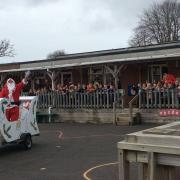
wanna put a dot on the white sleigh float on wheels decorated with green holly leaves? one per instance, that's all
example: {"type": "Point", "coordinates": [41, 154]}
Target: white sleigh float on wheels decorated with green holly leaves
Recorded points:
{"type": "Point", "coordinates": [22, 130]}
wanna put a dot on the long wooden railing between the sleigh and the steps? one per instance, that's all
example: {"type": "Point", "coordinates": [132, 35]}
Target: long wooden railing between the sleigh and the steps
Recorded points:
{"type": "Point", "coordinates": [80, 100]}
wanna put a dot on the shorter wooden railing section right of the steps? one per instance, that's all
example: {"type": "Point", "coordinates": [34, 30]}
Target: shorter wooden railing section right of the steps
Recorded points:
{"type": "Point", "coordinates": [169, 98]}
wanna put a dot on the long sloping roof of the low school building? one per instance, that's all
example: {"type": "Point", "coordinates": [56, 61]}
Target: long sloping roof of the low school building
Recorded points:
{"type": "Point", "coordinates": [122, 55]}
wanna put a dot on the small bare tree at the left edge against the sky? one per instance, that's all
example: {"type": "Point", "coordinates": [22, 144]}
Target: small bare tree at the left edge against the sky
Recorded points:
{"type": "Point", "coordinates": [6, 49]}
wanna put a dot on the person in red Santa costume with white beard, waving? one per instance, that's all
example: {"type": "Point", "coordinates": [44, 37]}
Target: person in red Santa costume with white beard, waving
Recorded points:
{"type": "Point", "coordinates": [12, 91]}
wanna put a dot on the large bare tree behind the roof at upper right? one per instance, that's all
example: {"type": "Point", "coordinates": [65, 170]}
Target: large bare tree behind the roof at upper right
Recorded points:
{"type": "Point", "coordinates": [158, 24]}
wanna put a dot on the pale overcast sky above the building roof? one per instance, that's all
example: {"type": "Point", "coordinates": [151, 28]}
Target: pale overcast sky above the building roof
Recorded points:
{"type": "Point", "coordinates": [39, 27]}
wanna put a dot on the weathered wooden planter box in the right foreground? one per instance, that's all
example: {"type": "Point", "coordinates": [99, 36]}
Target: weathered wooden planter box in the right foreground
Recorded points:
{"type": "Point", "coordinates": [156, 150]}
